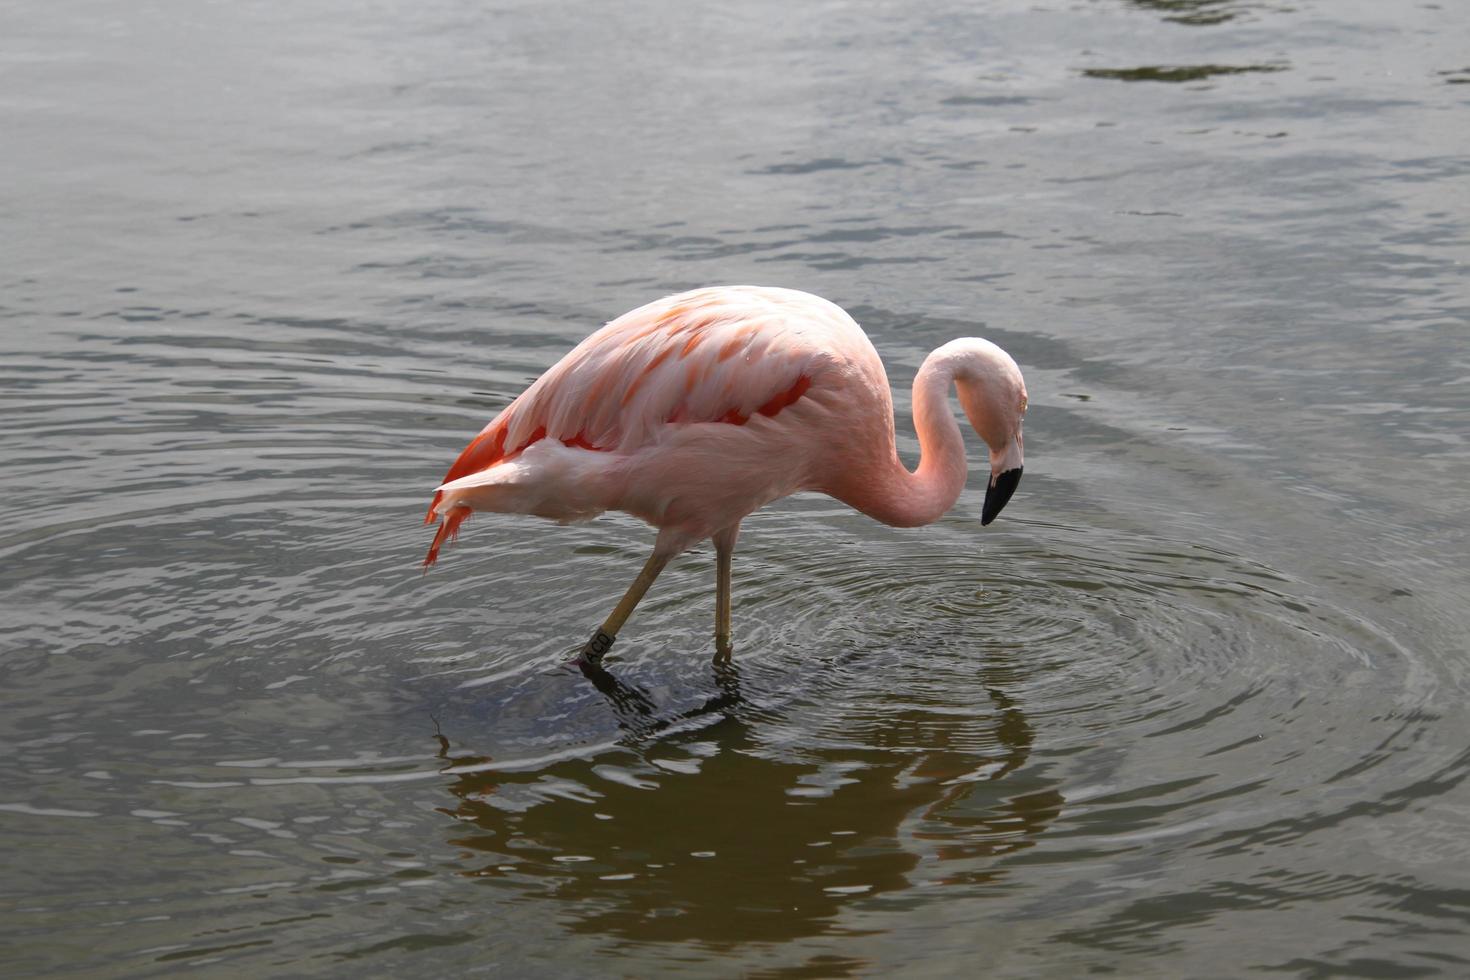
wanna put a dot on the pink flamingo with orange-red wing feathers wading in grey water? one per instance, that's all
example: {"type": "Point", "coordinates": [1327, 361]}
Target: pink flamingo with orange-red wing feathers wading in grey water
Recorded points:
{"type": "Point", "coordinates": [699, 409]}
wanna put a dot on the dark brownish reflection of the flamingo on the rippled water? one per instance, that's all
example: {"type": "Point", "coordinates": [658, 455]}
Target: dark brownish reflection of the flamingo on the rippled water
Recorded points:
{"type": "Point", "coordinates": [700, 835]}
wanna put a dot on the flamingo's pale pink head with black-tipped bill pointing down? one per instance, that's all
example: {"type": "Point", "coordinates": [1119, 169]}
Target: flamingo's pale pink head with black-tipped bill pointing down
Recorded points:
{"type": "Point", "coordinates": [994, 399]}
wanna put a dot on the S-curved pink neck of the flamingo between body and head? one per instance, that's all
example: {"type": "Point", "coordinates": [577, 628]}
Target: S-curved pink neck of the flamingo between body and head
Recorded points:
{"type": "Point", "coordinates": [906, 500]}
